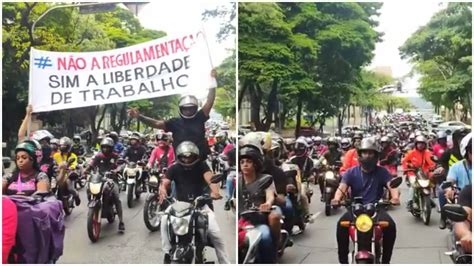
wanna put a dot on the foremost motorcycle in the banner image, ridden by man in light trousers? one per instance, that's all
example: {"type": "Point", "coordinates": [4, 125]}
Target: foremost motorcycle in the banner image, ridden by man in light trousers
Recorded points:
{"type": "Point", "coordinates": [187, 226]}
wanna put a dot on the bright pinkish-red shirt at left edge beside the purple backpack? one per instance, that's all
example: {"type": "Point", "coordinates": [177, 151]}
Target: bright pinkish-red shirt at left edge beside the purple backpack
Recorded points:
{"type": "Point", "coordinates": [9, 223]}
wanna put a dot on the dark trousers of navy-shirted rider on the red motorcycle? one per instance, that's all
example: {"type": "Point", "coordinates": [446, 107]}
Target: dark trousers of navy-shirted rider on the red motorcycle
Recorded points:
{"type": "Point", "coordinates": [389, 235]}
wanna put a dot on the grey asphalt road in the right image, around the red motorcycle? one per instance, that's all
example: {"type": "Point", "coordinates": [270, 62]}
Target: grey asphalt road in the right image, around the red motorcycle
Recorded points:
{"type": "Point", "coordinates": [416, 243]}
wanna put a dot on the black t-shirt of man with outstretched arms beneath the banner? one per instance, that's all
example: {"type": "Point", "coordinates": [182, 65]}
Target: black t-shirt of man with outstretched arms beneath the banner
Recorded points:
{"type": "Point", "coordinates": [190, 130]}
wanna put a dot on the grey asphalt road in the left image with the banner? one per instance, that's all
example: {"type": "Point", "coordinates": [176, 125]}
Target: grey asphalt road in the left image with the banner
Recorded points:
{"type": "Point", "coordinates": [137, 244]}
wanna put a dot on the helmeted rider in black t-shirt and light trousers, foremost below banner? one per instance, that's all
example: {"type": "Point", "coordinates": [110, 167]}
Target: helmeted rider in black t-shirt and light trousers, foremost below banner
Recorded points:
{"type": "Point", "coordinates": [193, 178]}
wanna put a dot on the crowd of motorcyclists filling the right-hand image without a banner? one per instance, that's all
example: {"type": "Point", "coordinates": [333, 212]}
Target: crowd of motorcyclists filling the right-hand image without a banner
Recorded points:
{"type": "Point", "coordinates": [359, 169]}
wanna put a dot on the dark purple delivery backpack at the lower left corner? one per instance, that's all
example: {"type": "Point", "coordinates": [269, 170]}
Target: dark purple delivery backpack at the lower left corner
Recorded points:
{"type": "Point", "coordinates": [40, 230]}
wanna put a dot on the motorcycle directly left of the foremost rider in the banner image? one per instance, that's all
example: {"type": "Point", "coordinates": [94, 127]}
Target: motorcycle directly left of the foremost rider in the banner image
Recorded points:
{"type": "Point", "coordinates": [152, 209]}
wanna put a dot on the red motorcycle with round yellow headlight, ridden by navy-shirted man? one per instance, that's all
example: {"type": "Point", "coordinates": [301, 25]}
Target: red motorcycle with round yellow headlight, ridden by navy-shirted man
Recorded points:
{"type": "Point", "coordinates": [365, 231]}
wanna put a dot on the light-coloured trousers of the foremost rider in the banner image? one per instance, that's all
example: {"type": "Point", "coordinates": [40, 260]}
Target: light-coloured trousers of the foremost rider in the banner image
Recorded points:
{"type": "Point", "coordinates": [213, 231]}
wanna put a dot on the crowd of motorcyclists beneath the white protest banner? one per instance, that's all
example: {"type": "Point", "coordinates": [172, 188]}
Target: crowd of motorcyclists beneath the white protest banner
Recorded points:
{"type": "Point", "coordinates": [181, 154]}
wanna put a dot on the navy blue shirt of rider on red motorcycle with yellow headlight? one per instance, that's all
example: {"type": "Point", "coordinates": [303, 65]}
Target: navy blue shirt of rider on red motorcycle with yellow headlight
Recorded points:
{"type": "Point", "coordinates": [369, 186]}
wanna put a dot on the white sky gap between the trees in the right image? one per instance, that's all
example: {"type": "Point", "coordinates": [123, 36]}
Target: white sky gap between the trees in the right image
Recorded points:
{"type": "Point", "coordinates": [398, 21]}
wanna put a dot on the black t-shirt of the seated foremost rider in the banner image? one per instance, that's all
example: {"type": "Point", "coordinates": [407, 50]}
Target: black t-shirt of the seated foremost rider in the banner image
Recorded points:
{"type": "Point", "coordinates": [190, 183]}
